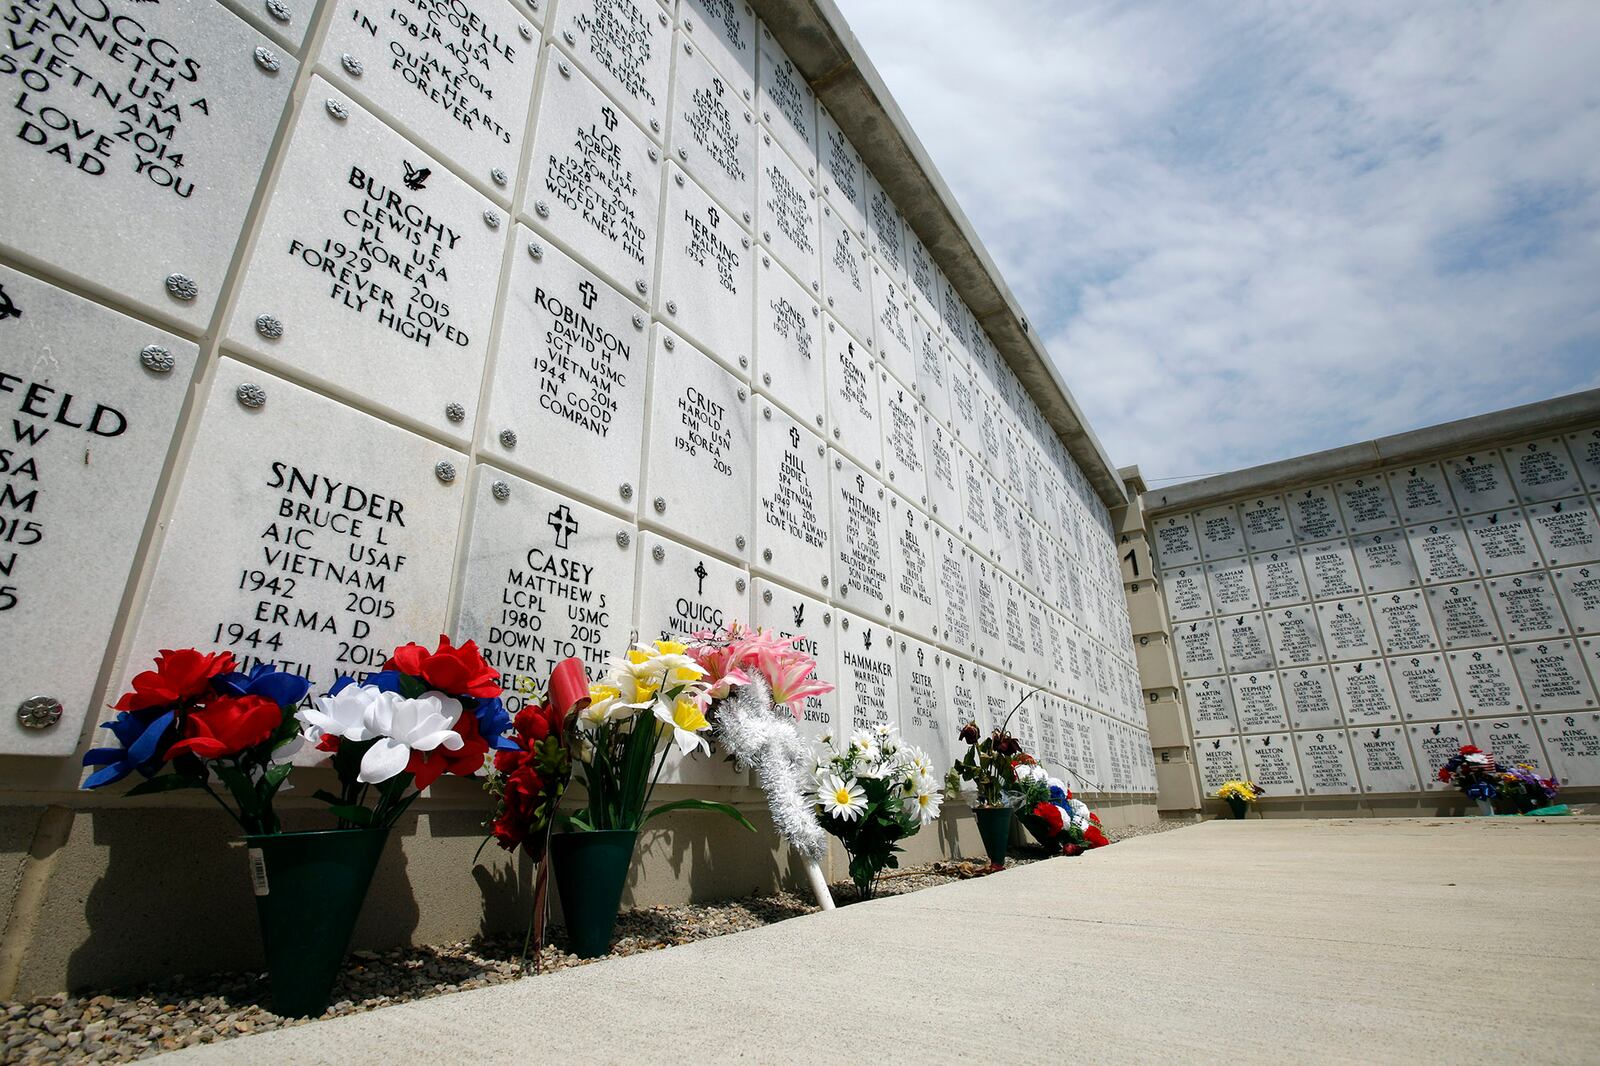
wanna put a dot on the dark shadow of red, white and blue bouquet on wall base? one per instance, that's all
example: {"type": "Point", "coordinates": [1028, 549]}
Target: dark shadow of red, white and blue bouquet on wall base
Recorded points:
{"type": "Point", "coordinates": [167, 892]}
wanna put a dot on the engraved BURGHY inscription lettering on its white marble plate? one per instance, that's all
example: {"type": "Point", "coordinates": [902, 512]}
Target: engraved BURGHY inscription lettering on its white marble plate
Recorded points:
{"type": "Point", "coordinates": [359, 265]}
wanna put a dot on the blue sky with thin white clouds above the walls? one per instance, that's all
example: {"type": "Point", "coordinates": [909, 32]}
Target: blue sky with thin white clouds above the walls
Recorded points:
{"type": "Point", "coordinates": [1258, 230]}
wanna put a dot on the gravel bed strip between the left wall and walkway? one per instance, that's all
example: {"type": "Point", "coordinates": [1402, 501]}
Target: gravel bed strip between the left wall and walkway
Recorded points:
{"type": "Point", "coordinates": [185, 1011]}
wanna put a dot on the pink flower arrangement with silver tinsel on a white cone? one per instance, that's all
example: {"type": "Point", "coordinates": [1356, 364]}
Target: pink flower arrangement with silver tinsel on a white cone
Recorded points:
{"type": "Point", "coordinates": [756, 691]}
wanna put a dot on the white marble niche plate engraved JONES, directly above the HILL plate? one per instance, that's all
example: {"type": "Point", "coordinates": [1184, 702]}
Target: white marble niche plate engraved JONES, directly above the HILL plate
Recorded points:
{"type": "Point", "coordinates": [790, 350]}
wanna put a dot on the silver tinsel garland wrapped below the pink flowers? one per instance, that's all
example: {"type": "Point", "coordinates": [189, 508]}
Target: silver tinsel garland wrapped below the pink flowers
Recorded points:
{"type": "Point", "coordinates": [764, 737]}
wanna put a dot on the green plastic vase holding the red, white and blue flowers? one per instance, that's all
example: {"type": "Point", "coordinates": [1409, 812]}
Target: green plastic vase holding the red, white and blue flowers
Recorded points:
{"type": "Point", "coordinates": [310, 891]}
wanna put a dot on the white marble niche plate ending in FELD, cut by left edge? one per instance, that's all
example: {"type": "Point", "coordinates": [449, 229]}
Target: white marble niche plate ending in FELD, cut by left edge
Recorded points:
{"type": "Point", "coordinates": [87, 428]}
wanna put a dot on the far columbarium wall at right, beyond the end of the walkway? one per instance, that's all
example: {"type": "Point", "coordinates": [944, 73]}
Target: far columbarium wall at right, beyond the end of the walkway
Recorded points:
{"type": "Point", "coordinates": [1338, 625]}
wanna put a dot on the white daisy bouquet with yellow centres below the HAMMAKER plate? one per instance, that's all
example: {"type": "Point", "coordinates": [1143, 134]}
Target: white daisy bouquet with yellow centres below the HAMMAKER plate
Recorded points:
{"type": "Point", "coordinates": [871, 795]}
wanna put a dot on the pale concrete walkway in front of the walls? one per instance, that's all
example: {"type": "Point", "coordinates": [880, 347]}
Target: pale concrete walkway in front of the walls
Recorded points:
{"type": "Point", "coordinates": [1354, 940]}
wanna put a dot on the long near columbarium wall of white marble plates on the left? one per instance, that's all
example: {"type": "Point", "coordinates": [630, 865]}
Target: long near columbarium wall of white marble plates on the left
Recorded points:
{"type": "Point", "coordinates": [550, 324]}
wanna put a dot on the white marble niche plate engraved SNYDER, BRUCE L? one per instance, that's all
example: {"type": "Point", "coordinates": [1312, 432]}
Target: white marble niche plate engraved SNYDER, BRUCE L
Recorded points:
{"type": "Point", "coordinates": [289, 547]}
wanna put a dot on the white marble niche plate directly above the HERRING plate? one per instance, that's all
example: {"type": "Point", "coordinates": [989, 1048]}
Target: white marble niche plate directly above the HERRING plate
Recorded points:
{"type": "Point", "coordinates": [714, 134]}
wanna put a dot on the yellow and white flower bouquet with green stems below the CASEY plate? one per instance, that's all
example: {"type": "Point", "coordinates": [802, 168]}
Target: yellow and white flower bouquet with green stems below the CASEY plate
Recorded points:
{"type": "Point", "coordinates": [650, 700]}
